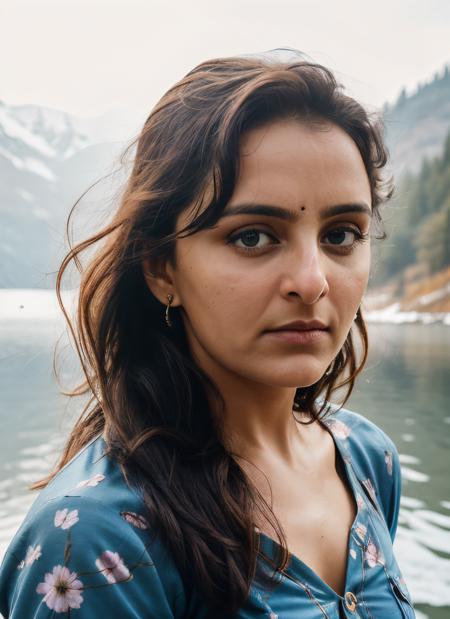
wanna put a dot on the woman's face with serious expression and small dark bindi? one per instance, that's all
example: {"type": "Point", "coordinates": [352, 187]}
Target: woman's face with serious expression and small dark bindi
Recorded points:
{"type": "Point", "coordinates": [255, 272]}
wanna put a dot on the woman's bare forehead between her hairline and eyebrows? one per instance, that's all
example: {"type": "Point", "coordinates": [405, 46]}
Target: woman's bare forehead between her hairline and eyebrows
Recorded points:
{"type": "Point", "coordinates": [292, 164]}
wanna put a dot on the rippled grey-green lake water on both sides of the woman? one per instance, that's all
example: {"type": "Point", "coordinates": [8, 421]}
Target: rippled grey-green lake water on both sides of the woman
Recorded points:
{"type": "Point", "coordinates": [405, 389]}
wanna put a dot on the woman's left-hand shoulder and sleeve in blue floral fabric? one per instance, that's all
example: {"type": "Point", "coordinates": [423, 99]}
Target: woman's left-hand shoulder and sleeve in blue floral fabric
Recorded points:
{"type": "Point", "coordinates": [86, 543]}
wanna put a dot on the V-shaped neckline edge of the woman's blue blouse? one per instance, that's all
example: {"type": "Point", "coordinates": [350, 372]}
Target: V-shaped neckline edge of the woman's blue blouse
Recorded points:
{"type": "Point", "coordinates": [296, 566]}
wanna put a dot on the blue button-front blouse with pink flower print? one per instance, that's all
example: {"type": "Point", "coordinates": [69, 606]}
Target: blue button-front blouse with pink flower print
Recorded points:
{"type": "Point", "coordinates": [85, 549]}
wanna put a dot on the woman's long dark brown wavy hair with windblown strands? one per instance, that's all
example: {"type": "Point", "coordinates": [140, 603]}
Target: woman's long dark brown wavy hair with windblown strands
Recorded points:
{"type": "Point", "coordinates": [145, 392]}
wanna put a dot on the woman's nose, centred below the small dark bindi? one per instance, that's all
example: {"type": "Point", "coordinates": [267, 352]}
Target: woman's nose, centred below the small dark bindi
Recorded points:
{"type": "Point", "coordinates": [304, 276]}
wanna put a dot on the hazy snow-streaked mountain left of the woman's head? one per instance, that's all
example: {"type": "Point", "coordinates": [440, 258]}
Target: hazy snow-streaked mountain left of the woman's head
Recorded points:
{"type": "Point", "coordinates": [47, 159]}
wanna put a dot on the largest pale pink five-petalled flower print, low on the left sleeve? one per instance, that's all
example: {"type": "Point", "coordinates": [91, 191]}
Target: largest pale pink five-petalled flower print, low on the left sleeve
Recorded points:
{"type": "Point", "coordinates": [61, 590]}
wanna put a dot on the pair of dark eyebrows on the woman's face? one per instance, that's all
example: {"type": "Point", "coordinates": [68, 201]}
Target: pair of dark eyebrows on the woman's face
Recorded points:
{"type": "Point", "coordinates": [250, 208]}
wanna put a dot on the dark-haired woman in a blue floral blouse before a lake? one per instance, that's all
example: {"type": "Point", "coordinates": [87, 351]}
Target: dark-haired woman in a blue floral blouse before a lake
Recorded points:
{"type": "Point", "coordinates": [209, 475]}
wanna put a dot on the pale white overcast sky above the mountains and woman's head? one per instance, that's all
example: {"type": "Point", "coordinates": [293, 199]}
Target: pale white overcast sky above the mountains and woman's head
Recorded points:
{"type": "Point", "coordinates": [89, 56]}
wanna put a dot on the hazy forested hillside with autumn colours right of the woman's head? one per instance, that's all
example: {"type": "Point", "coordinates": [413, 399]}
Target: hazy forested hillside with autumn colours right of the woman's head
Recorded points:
{"type": "Point", "coordinates": [411, 268]}
